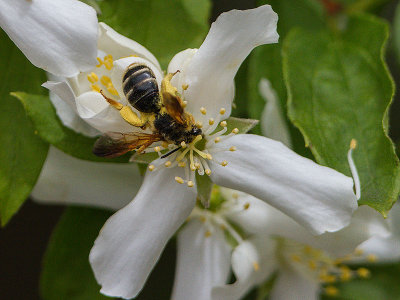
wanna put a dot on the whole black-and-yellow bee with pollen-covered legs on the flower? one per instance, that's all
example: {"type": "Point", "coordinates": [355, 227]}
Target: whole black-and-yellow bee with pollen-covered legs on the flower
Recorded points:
{"type": "Point", "coordinates": [161, 112]}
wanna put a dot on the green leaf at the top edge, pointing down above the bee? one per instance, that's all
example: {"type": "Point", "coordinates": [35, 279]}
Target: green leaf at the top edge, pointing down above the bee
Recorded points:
{"type": "Point", "coordinates": [163, 27]}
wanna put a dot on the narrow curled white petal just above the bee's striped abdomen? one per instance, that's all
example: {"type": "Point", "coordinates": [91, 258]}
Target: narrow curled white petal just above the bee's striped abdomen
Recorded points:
{"type": "Point", "coordinates": [111, 42]}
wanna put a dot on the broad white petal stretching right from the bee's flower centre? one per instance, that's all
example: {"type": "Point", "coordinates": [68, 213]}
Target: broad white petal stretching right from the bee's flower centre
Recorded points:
{"type": "Point", "coordinates": [319, 198]}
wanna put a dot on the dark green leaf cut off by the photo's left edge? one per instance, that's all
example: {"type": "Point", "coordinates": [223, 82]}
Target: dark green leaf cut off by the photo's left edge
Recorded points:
{"type": "Point", "coordinates": [22, 153]}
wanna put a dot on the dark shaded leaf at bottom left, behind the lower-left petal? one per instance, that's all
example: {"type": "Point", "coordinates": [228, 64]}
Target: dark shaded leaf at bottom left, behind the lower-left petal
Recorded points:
{"type": "Point", "coordinates": [66, 273]}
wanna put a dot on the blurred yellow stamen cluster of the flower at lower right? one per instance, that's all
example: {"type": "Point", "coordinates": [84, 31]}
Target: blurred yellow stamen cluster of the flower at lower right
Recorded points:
{"type": "Point", "coordinates": [318, 265]}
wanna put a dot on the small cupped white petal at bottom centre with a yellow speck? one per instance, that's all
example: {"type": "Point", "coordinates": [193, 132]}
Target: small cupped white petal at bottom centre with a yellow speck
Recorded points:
{"type": "Point", "coordinates": [259, 250]}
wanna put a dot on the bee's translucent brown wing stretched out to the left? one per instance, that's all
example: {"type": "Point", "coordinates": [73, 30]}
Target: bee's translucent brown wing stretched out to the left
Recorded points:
{"type": "Point", "coordinates": [113, 144]}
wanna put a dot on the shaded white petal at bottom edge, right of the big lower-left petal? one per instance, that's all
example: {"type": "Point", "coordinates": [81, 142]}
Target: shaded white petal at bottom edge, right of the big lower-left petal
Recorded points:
{"type": "Point", "coordinates": [202, 262]}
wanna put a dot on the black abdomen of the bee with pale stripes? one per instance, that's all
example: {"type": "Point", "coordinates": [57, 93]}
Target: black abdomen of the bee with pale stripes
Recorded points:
{"type": "Point", "coordinates": [141, 89]}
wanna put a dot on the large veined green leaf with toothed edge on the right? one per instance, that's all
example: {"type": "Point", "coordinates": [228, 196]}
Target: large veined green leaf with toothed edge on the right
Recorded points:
{"type": "Point", "coordinates": [340, 89]}
